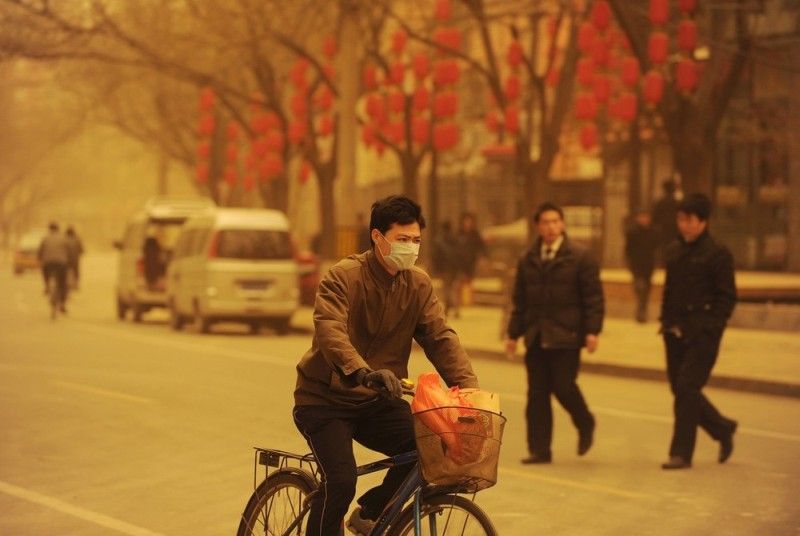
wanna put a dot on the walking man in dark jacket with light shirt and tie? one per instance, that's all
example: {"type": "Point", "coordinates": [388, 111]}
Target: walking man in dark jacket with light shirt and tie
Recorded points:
{"type": "Point", "coordinates": [558, 307]}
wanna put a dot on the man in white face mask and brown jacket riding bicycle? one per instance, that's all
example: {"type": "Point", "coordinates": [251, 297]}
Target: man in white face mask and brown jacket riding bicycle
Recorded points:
{"type": "Point", "coordinates": [368, 309]}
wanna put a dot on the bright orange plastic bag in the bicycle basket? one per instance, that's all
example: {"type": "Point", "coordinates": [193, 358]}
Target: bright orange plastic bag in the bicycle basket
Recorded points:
{"type": "Point", "coordinates": [447, 413]}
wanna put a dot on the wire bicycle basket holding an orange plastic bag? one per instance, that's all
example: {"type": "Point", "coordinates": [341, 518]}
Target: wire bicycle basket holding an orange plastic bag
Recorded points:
{"type": "Point", "coordinates": [459, 446]}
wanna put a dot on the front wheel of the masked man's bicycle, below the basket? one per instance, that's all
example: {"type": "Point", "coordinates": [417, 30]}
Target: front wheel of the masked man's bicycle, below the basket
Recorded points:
{"type": "Point", "coordinates": [445, 515]}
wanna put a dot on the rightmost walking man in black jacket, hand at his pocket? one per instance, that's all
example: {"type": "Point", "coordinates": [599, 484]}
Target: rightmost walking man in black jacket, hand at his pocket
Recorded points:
{"type": "Point", "coordinates": [699, 297]}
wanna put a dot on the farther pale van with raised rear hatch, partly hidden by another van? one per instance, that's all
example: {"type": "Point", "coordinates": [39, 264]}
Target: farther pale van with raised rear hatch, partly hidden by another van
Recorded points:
{"type": "Point", "coordinates": [146, 250]}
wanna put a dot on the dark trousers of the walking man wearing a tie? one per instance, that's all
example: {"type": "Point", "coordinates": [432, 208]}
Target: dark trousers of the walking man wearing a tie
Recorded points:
{"type": "Point", "coordinates": [552, 372]}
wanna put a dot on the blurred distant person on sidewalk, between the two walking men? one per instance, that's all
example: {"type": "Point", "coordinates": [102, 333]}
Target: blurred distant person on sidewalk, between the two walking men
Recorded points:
{"type": "Point", "coordinates": [641, 243]}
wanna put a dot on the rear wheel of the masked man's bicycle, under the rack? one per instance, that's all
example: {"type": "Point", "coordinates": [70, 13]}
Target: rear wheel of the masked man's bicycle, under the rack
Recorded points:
{"type": "Point", "coordinates": [276, 505]}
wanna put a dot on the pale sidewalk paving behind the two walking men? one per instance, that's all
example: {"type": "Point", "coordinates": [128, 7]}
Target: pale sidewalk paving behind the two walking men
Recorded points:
{"type": "Point", "coordinates": [750, 360]}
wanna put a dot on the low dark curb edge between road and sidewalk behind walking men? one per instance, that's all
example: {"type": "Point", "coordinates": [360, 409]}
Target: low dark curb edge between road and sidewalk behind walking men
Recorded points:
{"type": "Point", "coordinates": [731, 383]}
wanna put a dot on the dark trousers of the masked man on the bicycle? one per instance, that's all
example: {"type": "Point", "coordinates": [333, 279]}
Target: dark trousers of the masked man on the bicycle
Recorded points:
{"type": "Point", "coordinates": [382, 425]}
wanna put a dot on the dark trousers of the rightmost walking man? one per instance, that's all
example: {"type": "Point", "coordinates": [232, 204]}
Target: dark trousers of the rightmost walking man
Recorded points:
{"type": "Point", "coordinates": [689, 364]}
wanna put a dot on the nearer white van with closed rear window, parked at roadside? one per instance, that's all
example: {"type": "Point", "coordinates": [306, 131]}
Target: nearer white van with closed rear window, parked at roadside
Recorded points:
{"type": "Point", "coordinates": [234, 264]}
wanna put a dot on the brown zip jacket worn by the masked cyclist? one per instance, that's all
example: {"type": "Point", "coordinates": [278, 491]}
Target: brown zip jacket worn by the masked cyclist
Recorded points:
{"type": "Point", "coordinates": [364, 317]}
